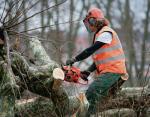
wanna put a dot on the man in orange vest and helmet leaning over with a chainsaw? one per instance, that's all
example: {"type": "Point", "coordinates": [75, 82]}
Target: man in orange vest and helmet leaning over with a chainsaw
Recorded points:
{"type": "Point", "coordinates": [108, 57]}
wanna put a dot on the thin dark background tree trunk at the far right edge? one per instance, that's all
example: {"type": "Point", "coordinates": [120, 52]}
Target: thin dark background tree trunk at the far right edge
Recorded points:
{"type": "Point", "coordinates": [145, 39]}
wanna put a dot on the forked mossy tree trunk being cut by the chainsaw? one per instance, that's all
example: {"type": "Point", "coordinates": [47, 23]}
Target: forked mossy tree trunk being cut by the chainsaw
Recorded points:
{"type": "Point", "coordinates": [38, 78]}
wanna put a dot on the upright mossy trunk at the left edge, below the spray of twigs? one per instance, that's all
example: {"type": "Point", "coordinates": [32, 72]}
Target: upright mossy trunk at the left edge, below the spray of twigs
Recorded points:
{"type": "Point", "coordinates": [8, 87]}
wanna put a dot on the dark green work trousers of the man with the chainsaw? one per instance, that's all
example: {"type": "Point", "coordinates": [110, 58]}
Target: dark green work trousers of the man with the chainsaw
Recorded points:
{"type": "Point", "coordinates": [102, 87]}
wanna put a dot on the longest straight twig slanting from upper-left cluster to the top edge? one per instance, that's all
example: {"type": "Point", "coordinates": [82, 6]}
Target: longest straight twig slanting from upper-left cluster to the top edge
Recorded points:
{"type": "Point", "coordinates": [35, 14]}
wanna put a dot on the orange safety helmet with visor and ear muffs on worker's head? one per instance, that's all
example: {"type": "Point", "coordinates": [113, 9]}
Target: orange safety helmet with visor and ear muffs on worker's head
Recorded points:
{"type": "Point", "coordinates": [95, 19]}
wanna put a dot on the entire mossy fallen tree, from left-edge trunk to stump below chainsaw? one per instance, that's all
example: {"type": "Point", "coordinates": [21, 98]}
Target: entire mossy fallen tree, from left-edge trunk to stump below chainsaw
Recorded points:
{"type": "Point", "coordinates": [36, 78]}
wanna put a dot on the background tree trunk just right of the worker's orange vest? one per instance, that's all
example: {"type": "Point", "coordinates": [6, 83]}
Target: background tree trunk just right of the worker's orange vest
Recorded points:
{"type": "Point", "coordinates": [128, 28]}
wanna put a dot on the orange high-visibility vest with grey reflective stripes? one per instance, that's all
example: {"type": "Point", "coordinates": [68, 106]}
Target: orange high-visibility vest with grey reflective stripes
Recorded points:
{"type": "Point", "coordinates": [110, 57]}
